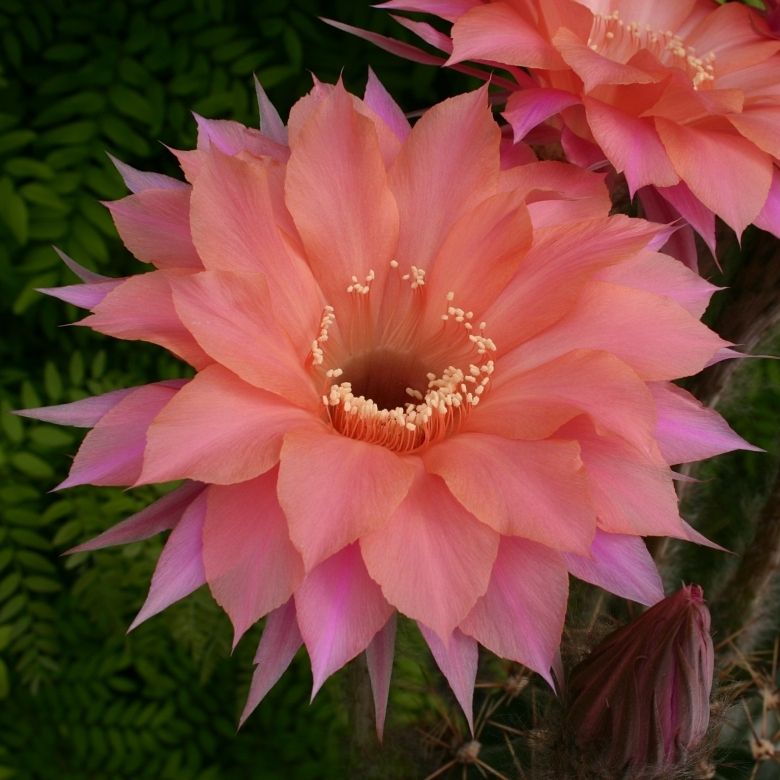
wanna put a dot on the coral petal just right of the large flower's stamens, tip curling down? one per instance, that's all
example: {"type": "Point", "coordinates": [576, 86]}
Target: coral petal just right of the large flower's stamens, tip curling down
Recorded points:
{"type": "Point", "coordinates": [534, 404]}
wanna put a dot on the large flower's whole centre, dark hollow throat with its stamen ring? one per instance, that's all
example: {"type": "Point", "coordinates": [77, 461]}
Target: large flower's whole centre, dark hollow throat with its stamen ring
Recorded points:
{"type": "Point", "coordinates": [398, 395]}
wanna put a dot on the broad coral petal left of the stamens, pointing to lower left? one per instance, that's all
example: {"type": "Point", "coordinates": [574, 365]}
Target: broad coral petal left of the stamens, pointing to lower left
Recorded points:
{"type": "Point", "coordinates": [219, 429]}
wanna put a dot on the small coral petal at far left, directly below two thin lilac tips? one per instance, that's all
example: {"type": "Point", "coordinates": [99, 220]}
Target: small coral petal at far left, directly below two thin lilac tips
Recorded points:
{"type": "Point", "coordinates": [141, 308]}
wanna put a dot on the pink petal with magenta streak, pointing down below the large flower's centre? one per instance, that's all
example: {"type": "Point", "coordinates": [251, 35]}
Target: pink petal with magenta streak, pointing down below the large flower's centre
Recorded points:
{"type": "Point", "coordinates": [340, 610]}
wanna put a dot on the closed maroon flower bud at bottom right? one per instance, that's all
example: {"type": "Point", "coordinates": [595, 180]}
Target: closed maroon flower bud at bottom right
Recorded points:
{"type": "Point", "coordinates": [641, 699]}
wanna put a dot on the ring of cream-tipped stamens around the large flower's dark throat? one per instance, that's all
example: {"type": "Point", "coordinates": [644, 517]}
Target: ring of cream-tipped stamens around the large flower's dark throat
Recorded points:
{"type": "Point", "coordinates": [429, 414]}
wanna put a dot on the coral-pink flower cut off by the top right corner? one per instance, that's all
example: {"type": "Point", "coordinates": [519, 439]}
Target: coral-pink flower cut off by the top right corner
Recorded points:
{"type": "Point", "coordinates": [682, 97]}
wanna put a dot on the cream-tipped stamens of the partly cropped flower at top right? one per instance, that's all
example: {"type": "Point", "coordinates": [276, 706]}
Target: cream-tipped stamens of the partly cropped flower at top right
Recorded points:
{"type": "Point", "coordinates": [611, 37]}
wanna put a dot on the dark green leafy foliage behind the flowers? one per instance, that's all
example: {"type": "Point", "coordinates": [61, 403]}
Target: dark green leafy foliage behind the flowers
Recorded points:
{"type": "Point", "coordinates": [78, 697]}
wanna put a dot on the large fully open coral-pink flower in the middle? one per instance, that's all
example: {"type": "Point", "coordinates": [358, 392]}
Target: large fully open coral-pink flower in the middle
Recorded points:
{"type": "Point", "coordinates": [423, 384]}
